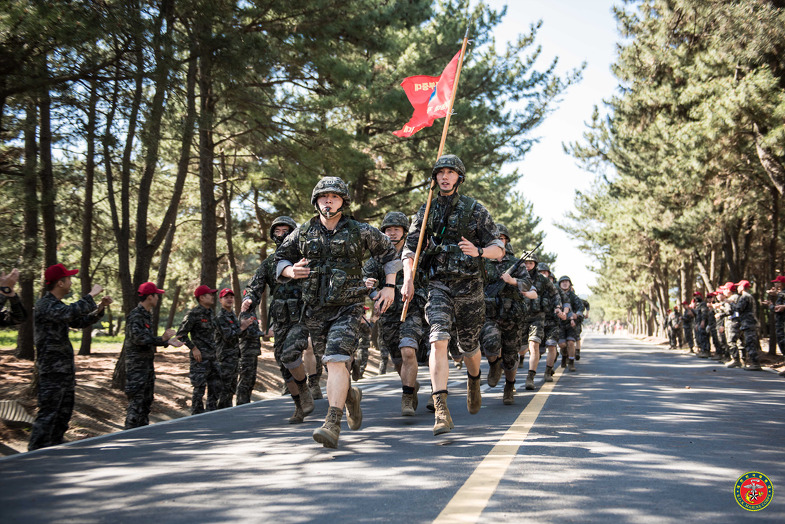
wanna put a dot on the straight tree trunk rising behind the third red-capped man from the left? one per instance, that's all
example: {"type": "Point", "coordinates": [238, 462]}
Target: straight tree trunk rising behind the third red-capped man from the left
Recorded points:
{"type": "Point", "coordinates": [209, 272]}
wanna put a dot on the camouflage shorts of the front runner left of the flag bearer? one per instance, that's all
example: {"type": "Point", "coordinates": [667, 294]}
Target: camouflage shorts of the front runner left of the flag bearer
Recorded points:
{"type": "Point", "coordinates": [334, 333]}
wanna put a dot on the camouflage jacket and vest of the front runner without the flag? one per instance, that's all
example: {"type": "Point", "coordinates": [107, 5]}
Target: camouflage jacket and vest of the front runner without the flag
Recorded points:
{"type": "Point", "coordinates": [335, 259]}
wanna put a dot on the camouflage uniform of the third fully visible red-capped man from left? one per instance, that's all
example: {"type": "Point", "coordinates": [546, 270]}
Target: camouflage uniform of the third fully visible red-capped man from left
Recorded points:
{"type": "Point", "coordinates": [199, 323]}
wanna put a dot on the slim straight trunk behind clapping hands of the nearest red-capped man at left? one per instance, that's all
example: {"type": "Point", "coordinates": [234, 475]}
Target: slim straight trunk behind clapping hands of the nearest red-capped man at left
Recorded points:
{"type": "Point", "coordinates": [87, 216]}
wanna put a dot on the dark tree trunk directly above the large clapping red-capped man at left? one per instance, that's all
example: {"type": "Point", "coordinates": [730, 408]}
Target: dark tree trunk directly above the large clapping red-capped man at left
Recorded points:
{"type": "Point", "coordinates": [48, 191]}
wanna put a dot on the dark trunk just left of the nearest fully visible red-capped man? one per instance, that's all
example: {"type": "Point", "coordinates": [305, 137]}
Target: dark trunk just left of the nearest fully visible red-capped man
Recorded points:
{"type": "Point", "coordinates": [30, 271]}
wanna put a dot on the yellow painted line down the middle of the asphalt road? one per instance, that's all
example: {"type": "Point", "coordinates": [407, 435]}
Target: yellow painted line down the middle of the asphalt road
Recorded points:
{"type": "Point", "coordinates": [469, 502]}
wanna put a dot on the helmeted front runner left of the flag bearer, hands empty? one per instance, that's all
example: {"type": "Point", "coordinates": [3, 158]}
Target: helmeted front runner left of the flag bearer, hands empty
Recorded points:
{"type": "Point", "coordinates": [327, 252]}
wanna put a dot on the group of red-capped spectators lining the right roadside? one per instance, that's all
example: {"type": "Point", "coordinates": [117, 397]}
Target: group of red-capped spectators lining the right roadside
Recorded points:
{"type": "Point", "coordinates": [727, 320]}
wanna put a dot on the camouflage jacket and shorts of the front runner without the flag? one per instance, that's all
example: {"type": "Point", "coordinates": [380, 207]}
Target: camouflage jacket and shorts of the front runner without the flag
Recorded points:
{"type": "Point", "coordinates": [334, 291]}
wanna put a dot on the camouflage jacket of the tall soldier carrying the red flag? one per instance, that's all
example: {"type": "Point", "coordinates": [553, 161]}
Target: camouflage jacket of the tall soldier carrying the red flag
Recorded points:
{"type": "Point", "coordinates": [442, 258]}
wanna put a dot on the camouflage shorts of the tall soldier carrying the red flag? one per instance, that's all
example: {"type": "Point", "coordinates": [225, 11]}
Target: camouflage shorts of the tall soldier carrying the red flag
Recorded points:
{"type": "Point", "coordinates": [460, 306]}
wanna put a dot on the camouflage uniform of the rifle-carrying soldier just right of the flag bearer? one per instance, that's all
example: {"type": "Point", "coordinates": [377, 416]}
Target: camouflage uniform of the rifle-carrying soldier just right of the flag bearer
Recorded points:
{"type": "Point", "coordinates": [504, 310]}
